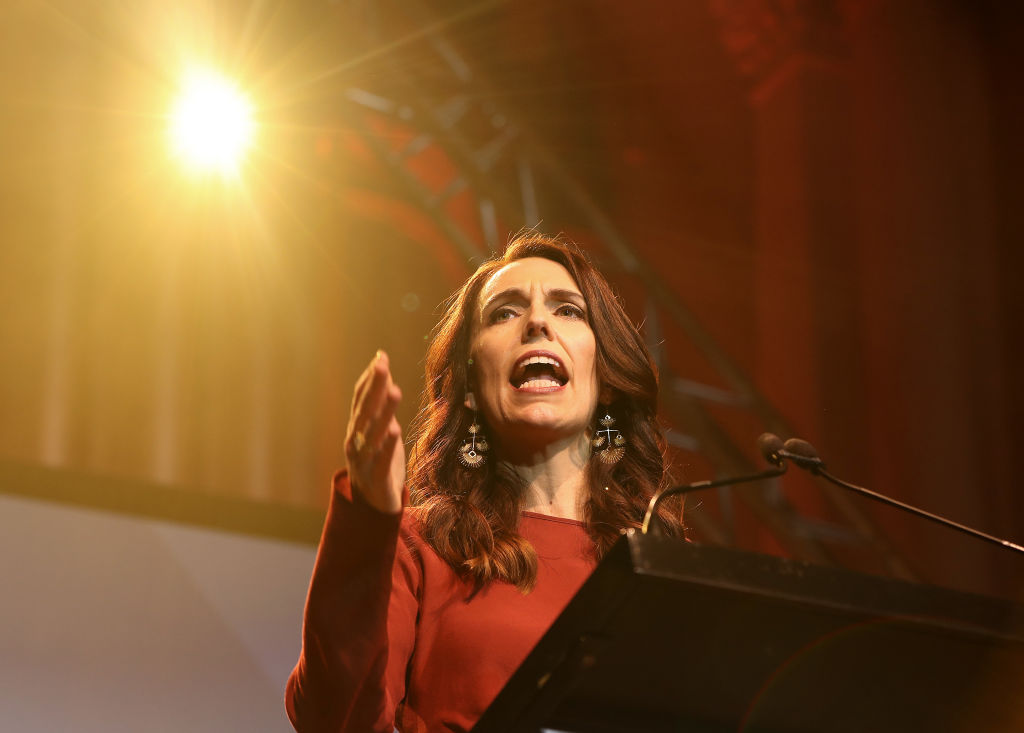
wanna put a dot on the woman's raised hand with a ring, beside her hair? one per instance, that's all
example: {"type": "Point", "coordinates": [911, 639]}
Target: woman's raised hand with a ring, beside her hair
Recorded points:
{"type": "Point", "coordinates": [373, 441]}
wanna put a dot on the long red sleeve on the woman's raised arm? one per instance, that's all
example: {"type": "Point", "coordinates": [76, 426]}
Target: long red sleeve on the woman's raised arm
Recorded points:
{"type": "Point", "coordinates": [360, 624]}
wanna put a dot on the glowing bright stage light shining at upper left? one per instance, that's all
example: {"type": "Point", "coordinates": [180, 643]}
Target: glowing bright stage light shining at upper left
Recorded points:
{"type": "Point", "coordinates": [211, 124]}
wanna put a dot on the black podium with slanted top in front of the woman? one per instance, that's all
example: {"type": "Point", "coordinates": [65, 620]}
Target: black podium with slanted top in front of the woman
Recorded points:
{"type": "Point", "coordinates": [670, 637]}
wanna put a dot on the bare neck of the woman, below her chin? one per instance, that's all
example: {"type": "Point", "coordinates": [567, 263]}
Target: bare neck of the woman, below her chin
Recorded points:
{"type": "Point", "coordinates": [556, 478]}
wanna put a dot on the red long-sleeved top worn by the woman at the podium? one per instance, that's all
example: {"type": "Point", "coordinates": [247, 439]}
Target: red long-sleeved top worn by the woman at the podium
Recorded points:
{"type": "Point", "coordinates": [392, 638]}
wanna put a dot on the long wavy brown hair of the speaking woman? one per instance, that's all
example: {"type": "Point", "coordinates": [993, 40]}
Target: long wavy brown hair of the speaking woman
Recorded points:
{"type": "Point", "coordinates": [471, 516]}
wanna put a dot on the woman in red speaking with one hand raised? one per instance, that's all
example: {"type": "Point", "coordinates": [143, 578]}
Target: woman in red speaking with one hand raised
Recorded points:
{"type": "Point", "coordinates": [535, 446]}
